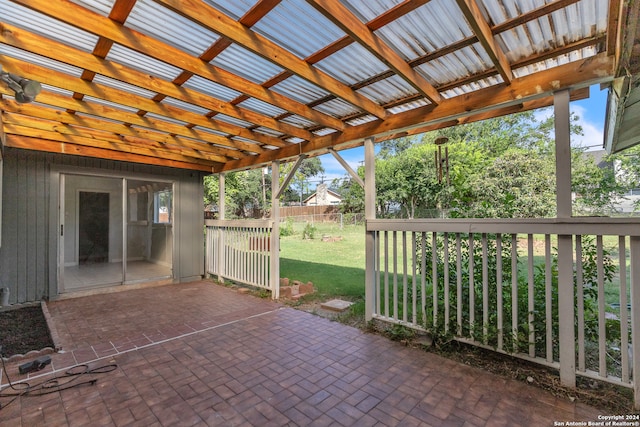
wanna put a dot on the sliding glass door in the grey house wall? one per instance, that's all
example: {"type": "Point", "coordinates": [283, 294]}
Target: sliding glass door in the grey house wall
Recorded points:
{"type": "Point", "coordinates": [114, 231]}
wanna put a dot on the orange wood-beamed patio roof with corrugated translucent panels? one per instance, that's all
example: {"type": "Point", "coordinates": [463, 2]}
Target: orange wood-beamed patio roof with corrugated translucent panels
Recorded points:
{"type": "Point", "coordinates": [225, 85]}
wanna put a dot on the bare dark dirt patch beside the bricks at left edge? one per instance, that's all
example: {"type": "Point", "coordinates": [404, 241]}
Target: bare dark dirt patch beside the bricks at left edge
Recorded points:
{"type": "Point", "coordinates": [23, 330]}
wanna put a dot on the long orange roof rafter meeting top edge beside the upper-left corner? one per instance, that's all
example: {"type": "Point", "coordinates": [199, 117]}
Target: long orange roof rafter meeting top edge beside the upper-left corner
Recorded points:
{"type": "Point", "coordinates": [99, 25]}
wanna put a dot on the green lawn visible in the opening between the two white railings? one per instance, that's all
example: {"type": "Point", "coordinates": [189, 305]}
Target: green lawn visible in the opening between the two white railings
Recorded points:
{"type": "Point", "coordinates": [336, 268]}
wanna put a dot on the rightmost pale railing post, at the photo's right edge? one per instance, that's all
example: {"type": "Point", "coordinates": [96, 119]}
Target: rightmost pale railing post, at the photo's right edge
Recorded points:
{"type": "Point", "coordinates": [634, 256]}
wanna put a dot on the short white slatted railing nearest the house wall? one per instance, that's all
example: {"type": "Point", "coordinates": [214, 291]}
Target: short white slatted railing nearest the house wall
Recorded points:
{"type": "Point", "coordinates": [240, 251]}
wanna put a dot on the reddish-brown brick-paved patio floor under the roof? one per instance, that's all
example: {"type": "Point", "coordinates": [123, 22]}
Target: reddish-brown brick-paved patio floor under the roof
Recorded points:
{"type": "Point", "coordinates": [202, 354]}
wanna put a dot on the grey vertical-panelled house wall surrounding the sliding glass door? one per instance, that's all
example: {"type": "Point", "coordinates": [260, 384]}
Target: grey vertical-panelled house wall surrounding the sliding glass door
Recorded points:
{"type": "Point", "coordinates": [29, 251]}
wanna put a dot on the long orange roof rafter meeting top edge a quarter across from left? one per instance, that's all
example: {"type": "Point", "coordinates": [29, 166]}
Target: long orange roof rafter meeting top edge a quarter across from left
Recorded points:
{"type": "Point", "coordinates": [220, 23]}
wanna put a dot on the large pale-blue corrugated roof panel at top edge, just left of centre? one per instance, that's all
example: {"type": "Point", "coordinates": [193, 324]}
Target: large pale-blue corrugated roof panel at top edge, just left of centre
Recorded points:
{"type": "Point", "coordinates": [293, 24]}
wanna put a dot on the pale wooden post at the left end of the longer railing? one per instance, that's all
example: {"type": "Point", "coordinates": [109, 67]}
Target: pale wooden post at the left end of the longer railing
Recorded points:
{"type": "Point", "coordinates": [370, 213]}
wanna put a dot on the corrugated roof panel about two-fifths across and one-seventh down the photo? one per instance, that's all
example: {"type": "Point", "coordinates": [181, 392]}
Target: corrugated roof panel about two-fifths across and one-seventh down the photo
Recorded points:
{"type": "Point", "coordinates": [240, 61]}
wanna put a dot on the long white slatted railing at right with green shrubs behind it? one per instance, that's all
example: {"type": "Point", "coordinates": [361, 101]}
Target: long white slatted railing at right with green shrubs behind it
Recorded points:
{"type": "Point", "coordinates": [496, 284]}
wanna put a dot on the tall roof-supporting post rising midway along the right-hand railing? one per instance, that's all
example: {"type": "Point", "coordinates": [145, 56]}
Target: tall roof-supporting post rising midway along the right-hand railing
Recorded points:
{"type": "Point", "coordinates": [566, 310]}
